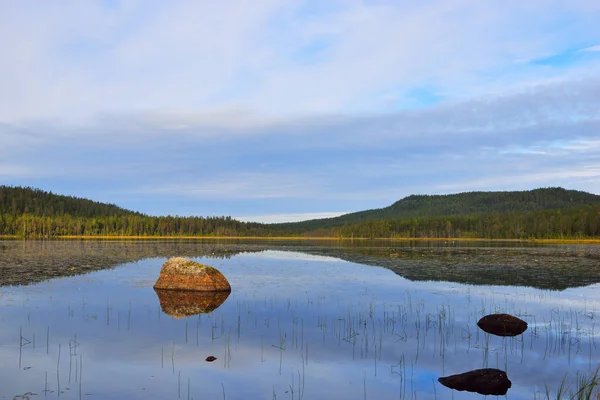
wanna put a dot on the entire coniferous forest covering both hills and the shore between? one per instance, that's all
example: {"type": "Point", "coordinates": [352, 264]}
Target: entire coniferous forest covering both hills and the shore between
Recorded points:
{"type": "Point", "coordinates": [550, 213]}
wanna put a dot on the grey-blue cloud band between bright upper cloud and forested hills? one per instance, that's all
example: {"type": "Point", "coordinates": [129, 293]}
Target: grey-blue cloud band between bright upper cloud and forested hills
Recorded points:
{"type": "Point", "coordinates": [544, 135]}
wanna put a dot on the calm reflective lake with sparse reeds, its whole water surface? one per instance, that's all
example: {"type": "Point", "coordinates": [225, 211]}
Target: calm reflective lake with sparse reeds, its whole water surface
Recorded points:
{"type": "Point", "coordinates": [304, 320]}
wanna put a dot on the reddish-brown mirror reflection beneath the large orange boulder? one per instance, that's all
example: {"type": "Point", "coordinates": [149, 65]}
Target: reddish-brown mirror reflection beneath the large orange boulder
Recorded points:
{"type": "Point", "coordinates": [184, 303]}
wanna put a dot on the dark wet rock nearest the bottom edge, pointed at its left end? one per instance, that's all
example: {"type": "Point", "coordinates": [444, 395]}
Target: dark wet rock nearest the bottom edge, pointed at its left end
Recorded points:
{"type": "Point", "coordinates": [487, 381]}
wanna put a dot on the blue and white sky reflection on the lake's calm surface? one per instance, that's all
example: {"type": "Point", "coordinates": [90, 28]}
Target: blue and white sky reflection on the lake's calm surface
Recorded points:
{"type": "Point", "coordinates": [321, 328]}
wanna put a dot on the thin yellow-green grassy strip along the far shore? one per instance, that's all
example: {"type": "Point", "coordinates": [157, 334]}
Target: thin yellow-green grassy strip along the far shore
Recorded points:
{"type": "Point", "coordinates": [307, 238]}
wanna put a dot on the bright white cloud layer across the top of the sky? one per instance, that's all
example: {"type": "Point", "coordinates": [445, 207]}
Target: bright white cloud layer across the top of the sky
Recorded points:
{"type": "Point", "coordinates": [74, 62]}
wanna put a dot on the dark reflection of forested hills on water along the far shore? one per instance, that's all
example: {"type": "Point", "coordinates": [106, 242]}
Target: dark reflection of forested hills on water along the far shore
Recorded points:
{"type": "Point", "coordinates": [555, 267]}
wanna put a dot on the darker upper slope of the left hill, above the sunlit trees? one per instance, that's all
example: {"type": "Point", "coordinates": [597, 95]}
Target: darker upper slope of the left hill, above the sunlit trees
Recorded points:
{"type": "Point", "coordinates": [25, 200]}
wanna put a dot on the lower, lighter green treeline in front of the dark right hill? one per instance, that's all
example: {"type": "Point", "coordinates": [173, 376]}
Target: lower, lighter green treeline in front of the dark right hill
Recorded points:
{"type": "Point", "coordinates": [578, 223]}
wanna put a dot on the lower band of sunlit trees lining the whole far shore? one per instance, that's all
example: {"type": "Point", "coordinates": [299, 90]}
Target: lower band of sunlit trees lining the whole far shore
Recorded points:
{"type": "Point", "coordinates": [549, 224]}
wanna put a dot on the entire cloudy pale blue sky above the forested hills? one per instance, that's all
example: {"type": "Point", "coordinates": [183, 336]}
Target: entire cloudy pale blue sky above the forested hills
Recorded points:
{"type": "Point", "coordinates": [276, 111]}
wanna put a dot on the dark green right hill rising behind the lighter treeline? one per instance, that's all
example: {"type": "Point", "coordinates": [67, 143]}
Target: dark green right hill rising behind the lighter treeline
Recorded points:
{"type": "Point", "coordinates": [466, 203]}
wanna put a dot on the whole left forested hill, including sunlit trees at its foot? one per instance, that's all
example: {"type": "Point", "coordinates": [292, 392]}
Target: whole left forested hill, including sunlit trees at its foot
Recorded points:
{"type": "Point", "coordinates": [27, 212]}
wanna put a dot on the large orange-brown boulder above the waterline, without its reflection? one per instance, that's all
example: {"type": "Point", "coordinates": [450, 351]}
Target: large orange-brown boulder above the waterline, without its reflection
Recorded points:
{"type": "Point", "coordinates": [182, 274]}
